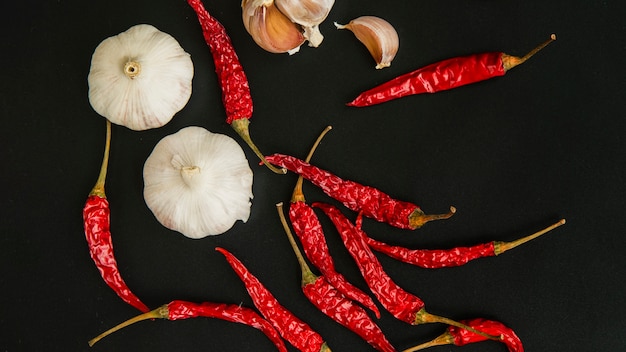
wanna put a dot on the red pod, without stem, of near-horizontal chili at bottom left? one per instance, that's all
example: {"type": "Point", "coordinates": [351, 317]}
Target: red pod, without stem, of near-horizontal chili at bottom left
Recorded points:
{"type": "Point", "coordinates": [178, 310]}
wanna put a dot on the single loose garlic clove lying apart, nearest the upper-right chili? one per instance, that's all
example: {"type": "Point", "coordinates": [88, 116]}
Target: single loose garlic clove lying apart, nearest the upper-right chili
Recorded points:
{"type": "Point", "coordinates": [379, 37]}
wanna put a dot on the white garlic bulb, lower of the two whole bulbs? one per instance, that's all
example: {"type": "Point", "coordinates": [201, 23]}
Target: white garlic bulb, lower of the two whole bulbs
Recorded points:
{"type": "Point", "coordinates": [198, 183]}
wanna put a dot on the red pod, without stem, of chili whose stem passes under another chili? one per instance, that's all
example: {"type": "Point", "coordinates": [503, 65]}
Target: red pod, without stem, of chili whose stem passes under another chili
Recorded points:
{"type": "Point", "coordinates": [309, 230]}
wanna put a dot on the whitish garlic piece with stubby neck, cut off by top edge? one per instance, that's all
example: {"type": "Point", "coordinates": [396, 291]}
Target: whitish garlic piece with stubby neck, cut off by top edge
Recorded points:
{"type": "Point", "coordinates": [309, 14]}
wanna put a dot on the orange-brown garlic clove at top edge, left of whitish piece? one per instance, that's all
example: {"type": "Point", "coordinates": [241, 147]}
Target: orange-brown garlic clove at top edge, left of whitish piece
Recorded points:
{"type": "Point", "coordinates": [270, 28]}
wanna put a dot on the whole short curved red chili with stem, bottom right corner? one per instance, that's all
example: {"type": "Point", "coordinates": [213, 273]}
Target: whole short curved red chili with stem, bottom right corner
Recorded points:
{"type": "Point", "coordinates": [462, 337]}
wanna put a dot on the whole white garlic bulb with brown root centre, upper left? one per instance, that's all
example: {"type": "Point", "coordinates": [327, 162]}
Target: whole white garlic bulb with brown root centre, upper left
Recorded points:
{"type": "Point", "coordinates": [140, 78]}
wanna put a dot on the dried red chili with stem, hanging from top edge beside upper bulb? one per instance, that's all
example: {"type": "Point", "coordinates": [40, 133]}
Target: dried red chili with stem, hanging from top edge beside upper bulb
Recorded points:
{"type": "Point", "coordinates": [236, 96]}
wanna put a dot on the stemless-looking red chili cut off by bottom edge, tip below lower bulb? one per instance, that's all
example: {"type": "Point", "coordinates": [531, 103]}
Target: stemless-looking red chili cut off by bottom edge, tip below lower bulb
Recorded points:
{"type": "Point", "coordinates": [290, 327]}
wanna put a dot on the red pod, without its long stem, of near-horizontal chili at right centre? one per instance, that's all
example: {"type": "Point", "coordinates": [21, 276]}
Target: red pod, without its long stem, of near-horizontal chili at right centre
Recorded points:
{"type": "Point", "coordinates": [433, 258]}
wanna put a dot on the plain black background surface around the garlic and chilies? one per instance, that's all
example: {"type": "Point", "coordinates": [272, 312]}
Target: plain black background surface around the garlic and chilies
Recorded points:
{"type": "Point", "coordinates": [513, 154]}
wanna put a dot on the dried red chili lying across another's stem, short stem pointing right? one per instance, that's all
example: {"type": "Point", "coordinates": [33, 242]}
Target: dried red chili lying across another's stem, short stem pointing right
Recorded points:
{"type": "Point", "coordinates": [371, 201]}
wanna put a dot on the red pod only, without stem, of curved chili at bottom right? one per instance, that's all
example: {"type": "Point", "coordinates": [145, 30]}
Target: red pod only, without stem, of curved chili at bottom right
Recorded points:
{"type": "Point", "coordinates": [463, 337]}
